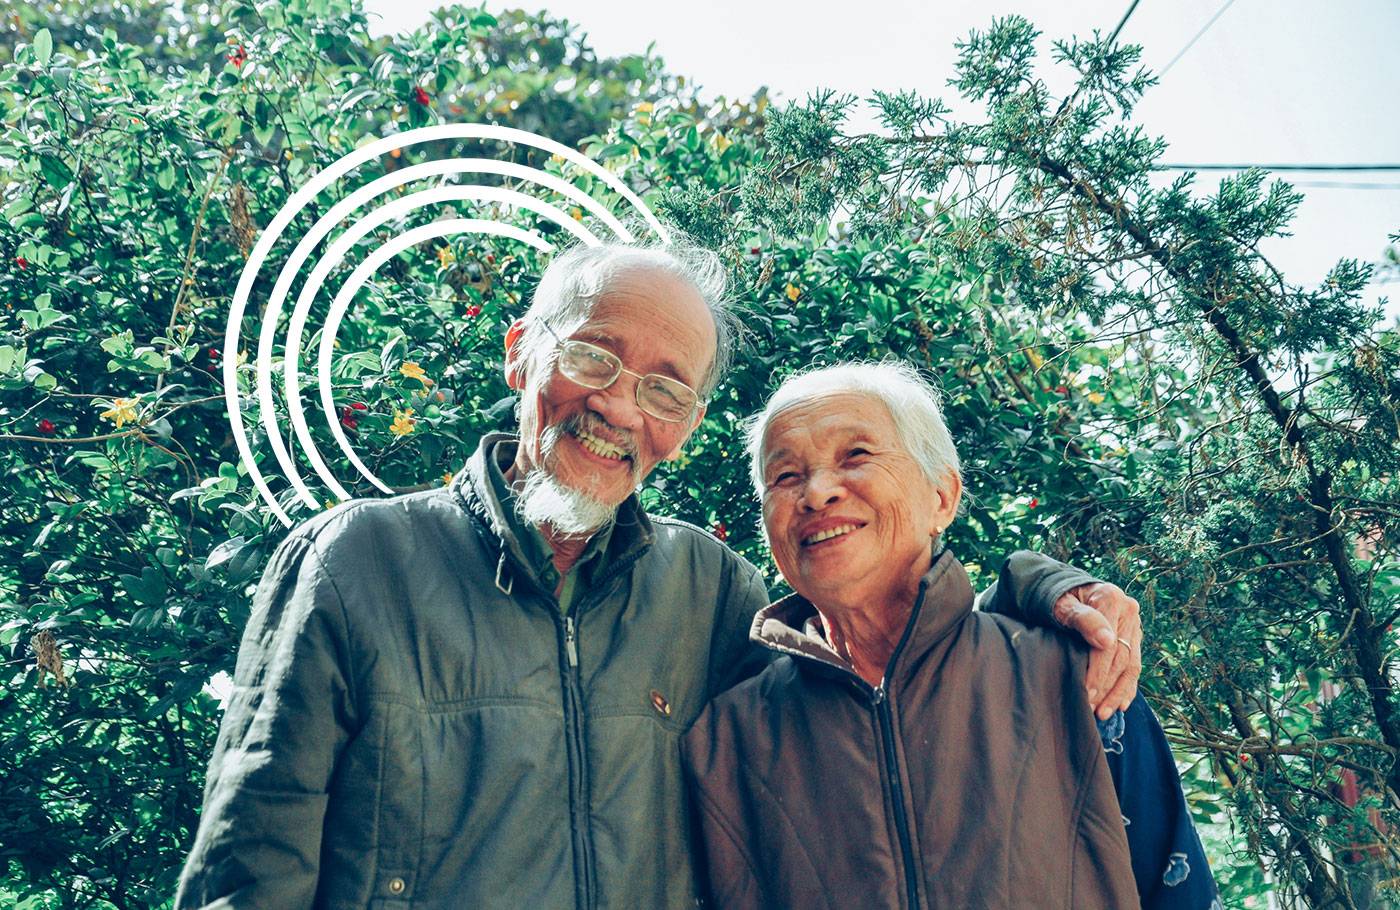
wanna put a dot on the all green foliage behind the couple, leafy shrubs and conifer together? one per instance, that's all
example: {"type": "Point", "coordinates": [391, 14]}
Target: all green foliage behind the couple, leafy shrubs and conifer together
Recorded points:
{"type": "Point", "coordinates": [1133, 386]}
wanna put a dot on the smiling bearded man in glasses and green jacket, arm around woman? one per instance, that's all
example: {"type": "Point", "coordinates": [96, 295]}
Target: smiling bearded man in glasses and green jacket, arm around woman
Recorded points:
{"type": "Point", "coordinates": [474, 696]}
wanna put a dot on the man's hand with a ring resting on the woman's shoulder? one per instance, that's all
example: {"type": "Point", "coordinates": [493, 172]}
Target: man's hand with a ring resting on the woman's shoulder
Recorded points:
{"type": "Point", "coordinates": [1109, 621]}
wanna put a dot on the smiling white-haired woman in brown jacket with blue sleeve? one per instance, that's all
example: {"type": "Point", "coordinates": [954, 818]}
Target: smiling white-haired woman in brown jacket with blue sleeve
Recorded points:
{"type": "Point", "coordinates": [908, 751]}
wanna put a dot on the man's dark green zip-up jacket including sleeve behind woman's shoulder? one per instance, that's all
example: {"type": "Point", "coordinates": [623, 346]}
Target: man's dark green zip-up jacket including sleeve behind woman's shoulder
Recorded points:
{"type": "Point", "coordinates": [415, 723]}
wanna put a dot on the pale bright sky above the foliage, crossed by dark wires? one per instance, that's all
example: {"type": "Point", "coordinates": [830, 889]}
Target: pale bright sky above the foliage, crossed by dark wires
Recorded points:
{"type": "Point", "coordinates": [1270, 82]}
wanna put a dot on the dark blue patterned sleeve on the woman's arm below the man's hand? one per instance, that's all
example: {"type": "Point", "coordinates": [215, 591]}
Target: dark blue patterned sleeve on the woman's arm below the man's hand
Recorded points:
{"type": "Point", "coordinates": [1168, 859]}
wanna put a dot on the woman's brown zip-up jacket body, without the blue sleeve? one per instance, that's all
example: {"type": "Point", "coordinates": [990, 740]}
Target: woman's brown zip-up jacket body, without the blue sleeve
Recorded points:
{"type": "Point", "coordinates": [974, 778]}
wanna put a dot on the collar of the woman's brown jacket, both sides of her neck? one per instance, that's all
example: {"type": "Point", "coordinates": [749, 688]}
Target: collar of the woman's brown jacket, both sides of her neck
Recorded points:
{"type": "Point", "coordinates": [793, 626]}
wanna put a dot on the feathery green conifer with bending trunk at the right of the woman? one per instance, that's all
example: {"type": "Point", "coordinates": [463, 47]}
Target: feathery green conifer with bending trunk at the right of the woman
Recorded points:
{"type": "Point", "coordinates": [1242, 470]}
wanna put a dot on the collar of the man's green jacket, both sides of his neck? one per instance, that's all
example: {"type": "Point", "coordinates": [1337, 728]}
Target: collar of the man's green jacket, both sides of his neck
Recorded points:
{"type": "Point", "coordinates": [632, 533]}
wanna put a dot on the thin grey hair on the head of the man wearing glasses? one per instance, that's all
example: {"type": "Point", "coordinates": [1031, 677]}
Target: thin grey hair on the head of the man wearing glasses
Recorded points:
{"type": "Point", "coordinates": [580, 276]}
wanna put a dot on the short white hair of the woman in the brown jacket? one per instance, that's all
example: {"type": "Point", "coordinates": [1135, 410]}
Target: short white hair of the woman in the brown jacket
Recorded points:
{"type": "Point", "coordinates": [913, 402]}
